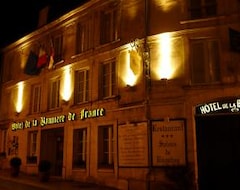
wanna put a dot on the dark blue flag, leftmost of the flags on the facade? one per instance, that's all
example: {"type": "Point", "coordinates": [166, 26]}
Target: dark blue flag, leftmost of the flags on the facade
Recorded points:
{"type": "Point", "coordinates": [31, 64]}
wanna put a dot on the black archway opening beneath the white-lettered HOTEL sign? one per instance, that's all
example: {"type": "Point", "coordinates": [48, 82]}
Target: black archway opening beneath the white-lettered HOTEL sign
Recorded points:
{"type": "Point", "coordinates": [218, 150]}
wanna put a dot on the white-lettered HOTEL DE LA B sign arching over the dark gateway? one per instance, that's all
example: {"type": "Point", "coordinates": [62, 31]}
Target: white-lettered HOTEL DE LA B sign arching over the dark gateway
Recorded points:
{"type": "Point", "coordinates": [221, 106]}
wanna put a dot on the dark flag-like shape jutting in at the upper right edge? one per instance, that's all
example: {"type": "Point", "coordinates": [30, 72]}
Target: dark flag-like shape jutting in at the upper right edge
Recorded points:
{"type": "Point", "coordinates": [234, 38]}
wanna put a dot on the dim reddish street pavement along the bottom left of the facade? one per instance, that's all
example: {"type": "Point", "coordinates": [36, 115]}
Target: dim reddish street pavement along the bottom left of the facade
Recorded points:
{"type": "Point", "coordinates": [30, 182]}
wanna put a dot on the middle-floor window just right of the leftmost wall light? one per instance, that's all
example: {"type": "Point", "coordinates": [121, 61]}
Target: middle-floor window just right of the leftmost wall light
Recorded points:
{"type": "Point", "coordinates": [36, 98]}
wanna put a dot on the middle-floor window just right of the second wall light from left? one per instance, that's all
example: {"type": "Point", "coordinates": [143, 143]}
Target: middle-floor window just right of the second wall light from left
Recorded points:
{"type": "Point", "coordinates": [81, 86]}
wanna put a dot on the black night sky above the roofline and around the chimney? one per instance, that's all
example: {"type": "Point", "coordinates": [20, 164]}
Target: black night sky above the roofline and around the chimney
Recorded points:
{"type": "Point", "coordinates": [20, 17]}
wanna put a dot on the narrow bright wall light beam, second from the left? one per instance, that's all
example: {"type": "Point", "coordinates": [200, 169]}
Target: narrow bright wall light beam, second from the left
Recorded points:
{"type": "Point", "coordinates": [67, 84]}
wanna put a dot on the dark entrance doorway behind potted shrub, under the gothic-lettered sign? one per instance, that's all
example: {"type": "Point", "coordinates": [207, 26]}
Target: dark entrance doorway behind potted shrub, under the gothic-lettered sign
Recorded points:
{"type": "Point", "coordinates": [52, 149]}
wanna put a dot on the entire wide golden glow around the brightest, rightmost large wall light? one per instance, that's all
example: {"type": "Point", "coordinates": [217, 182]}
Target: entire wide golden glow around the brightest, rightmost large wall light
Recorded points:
{"type": "Point", "coordinates": [167, 57]}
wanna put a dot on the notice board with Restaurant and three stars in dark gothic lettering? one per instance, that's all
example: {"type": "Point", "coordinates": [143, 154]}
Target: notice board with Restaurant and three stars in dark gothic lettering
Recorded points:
{"type": "Point", "coordinates": [168, 143]}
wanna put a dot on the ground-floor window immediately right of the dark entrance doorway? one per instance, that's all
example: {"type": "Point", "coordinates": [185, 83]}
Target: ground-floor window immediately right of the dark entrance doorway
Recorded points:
{"type": "Point", "coordinates": [79, 148]}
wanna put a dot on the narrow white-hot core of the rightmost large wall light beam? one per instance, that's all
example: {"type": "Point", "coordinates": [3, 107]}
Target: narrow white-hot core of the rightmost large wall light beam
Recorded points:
{"type": "Point", "coordinates": [165, 65]}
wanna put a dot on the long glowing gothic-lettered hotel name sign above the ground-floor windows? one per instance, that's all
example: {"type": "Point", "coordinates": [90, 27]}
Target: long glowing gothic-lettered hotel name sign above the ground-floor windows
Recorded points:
{"type": "Point", "coordinates": [43, 121]}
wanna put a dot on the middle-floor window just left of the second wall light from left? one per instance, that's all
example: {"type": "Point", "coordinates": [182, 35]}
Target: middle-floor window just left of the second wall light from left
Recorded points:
{"type": "Point", "coordinates": [54, 94]}
